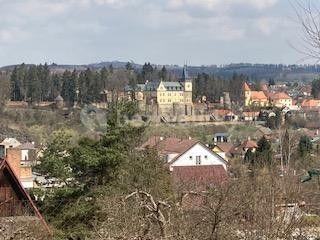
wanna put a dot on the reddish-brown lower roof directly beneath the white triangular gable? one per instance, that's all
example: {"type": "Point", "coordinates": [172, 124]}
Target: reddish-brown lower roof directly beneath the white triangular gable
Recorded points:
{"type": "Point", "coordinates": [199, 175]}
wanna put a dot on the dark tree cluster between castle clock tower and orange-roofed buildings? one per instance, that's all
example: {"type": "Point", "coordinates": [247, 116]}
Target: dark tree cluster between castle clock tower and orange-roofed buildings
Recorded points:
{"type": "Point", "coordinates": [213, 86]}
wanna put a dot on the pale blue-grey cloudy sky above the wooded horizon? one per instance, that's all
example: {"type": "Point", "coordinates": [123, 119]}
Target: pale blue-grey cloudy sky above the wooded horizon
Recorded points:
{"type": "Point", "coordinates": [201, 32]}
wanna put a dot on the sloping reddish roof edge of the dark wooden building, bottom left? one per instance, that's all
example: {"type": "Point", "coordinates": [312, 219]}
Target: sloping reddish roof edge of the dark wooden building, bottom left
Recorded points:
{"type": "Point", "coordinates": [4, 165]}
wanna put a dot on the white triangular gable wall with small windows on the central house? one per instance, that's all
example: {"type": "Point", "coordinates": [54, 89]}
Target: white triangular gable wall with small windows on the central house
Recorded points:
{"type": "Point", "coordinates": [198, 150]}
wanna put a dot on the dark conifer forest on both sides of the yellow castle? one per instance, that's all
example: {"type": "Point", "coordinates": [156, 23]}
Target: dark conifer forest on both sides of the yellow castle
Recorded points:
{"type": "Point", "coordinates": [37, 83]}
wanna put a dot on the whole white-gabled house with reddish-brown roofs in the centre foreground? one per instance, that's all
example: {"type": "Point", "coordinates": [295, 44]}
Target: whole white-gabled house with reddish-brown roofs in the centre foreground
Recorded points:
{"type": "Point", "coordinates": [189, 159]}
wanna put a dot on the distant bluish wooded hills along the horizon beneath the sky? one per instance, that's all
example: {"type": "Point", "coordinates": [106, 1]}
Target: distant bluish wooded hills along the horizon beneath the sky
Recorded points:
{"type": "Point", "coordinates": [279, 72]}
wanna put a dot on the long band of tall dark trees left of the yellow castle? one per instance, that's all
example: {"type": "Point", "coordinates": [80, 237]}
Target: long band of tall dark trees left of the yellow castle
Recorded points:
{"type": "Point", "coordinates": [37, 83]}
